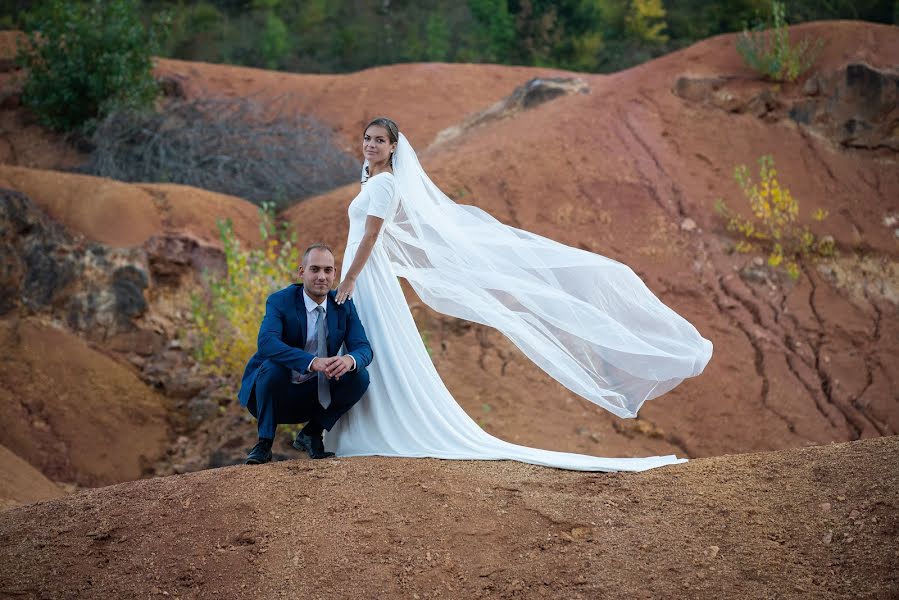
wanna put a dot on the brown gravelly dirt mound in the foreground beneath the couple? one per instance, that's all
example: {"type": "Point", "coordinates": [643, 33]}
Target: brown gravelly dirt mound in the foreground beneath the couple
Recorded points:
{"type": "Point", "coordinates": [806, 523]}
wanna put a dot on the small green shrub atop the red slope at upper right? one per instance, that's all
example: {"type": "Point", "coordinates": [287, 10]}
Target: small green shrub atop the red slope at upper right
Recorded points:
{"type": "Point", "coordinates": [770, 52]}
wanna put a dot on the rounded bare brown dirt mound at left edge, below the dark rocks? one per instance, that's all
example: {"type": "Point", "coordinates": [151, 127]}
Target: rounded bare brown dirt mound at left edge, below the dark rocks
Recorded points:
{"type": "Point", "coordinates": [72, 412]}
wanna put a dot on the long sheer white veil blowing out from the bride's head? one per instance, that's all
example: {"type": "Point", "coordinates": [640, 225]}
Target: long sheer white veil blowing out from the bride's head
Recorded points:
{"type": "Point", "coordinates": [588, 321]}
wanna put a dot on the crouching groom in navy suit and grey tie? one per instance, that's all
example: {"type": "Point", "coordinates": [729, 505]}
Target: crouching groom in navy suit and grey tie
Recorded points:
{"type": "Point", "coordinates": [295, 375]}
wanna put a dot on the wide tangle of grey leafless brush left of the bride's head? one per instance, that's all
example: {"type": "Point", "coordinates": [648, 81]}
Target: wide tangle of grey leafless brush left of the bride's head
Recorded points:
{"type": "Point", "coordinates": [258, 151]}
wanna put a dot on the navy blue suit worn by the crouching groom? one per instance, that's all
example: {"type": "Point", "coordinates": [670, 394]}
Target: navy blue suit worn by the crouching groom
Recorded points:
{"type": "Point", "coordinates": [266, 389]}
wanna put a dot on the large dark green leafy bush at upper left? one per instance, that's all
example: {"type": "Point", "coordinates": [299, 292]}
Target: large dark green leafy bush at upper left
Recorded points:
{"type": "Point", "coordinates": [85, 60]}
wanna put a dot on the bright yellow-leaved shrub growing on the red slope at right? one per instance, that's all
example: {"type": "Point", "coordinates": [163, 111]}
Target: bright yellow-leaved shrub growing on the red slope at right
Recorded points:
{"type": "Point", "coordinates": [773, 225]}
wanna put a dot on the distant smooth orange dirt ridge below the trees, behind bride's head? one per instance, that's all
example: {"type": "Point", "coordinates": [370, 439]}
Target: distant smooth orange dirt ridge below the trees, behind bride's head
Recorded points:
{"type": "Point", "coordinates": [430, 96]}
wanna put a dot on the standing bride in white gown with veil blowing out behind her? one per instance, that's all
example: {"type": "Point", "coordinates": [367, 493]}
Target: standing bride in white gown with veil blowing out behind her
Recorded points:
{"type": "Point", "coordinates": [588, 321]}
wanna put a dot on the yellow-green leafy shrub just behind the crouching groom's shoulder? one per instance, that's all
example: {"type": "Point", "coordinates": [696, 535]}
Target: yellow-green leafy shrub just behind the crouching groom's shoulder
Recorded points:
{"type": "Point", "coordinates": [227, 315]}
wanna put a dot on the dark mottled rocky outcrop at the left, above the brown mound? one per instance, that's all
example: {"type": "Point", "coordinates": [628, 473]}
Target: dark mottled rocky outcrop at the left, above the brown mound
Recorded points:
{"type": "Point", "coordinates": [104, 294]}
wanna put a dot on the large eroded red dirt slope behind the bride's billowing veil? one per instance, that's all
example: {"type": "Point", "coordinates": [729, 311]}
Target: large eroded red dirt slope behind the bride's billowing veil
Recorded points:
{"type": "Point", "coordinates": [632, 171]}
